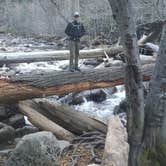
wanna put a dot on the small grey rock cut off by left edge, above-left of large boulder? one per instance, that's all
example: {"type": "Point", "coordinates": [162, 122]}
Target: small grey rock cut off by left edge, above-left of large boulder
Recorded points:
{"type": "Point", "coordinates": [7, 133]}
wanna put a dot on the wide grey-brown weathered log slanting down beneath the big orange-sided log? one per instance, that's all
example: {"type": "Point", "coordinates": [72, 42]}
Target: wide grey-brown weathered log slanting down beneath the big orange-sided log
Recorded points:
{"type": "Point", "coordinates": [74, 121]}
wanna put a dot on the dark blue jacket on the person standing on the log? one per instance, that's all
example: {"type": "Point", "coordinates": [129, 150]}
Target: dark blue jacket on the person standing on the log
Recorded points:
{"type": "Point", "coordinates": [75, 30]}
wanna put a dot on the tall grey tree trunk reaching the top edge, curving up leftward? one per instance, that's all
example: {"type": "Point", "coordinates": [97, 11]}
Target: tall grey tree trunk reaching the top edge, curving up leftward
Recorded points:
{"type": "Point", "coordinates": [123, 14]}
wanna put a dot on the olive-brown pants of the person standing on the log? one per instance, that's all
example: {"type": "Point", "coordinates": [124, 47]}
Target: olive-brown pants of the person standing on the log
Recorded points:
{"type": "Point", "coordinates": [74, 54]}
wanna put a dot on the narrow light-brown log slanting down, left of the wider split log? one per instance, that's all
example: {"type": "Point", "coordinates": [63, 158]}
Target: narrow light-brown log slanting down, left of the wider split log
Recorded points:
{"type": "Point", "coordinates": [40, 121]}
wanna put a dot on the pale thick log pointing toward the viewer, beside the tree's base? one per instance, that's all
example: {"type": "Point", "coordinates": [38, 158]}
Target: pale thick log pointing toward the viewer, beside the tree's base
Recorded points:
{"type": "Point", "coordinates": [116, 146]}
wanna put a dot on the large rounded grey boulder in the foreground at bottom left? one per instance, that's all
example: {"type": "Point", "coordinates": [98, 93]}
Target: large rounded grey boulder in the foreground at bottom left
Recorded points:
{"type": "Point", "coordinates": [41, 148]}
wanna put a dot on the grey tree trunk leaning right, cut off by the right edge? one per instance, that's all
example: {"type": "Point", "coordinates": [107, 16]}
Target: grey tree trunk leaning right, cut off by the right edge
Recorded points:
{"type": "Point", "coordinates": [155, 109]}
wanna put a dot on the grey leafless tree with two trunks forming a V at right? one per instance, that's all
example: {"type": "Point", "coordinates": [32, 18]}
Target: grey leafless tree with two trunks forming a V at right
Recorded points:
{"type": "Point", "coordinates": [146, 131]}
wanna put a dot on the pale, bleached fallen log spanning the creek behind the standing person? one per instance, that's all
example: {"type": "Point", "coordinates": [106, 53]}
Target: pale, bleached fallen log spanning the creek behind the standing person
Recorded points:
{"type": "Point", "coordinates": [21, 57]}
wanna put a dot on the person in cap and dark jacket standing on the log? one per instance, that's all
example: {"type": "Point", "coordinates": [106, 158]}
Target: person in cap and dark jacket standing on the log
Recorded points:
{"type": "Point", "coordinates": [75, 30]}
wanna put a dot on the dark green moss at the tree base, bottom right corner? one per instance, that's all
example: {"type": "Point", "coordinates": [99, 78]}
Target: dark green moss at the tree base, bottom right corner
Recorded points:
{"type": "Point", "coordinates": [154, 156]}
